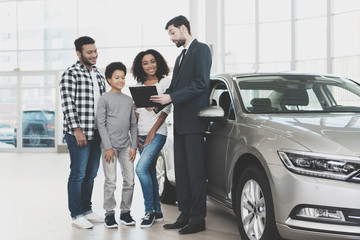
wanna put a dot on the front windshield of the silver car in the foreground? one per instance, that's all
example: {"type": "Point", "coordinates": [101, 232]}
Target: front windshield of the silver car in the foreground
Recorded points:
{"type": "Point", "coordinates": [298, 93]}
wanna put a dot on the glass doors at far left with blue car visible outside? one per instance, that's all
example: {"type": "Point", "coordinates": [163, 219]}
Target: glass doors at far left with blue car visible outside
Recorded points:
{"type": "Point", "coordinates": [28, 113]}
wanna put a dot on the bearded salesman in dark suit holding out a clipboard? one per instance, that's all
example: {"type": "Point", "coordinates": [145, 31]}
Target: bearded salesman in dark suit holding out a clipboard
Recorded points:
{"type": "Point", "coordinates": [188, 92]}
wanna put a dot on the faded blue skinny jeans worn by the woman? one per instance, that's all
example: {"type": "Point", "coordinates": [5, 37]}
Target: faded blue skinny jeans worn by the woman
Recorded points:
{"type": "Point", "coordinates": [146, 172]}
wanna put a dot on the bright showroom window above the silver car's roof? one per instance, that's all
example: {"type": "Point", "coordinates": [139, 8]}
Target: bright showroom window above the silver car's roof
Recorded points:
{"type": "Point", "coordinates": [296, 35]}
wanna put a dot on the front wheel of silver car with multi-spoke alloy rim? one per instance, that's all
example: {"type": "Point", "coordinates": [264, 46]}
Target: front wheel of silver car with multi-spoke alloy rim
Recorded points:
{"type": "Point", "coordinates": [254, 206]}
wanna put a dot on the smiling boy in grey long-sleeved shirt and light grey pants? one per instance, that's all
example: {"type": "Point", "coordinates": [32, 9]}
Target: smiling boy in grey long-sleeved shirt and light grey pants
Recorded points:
{"type": "Point", "coordinates": [116, 119]}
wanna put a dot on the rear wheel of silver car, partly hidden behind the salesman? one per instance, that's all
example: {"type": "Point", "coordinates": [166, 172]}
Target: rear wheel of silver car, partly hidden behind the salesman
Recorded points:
{"type": "Point", "coordinates": [167, 191]}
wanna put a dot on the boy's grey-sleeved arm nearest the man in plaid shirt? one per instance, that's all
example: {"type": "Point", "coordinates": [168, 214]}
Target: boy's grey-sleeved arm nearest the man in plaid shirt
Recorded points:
{"type": "Point", "coordinates": [101, 121]}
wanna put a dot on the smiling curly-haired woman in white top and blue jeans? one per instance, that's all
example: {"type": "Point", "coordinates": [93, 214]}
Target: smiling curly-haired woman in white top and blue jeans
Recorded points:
{"type": "Point", "coordinates": [150, 68]}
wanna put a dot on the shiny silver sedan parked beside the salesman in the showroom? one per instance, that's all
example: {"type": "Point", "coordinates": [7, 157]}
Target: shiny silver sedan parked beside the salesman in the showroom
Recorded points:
{"type": "Point", "coordinates": [282, 150]}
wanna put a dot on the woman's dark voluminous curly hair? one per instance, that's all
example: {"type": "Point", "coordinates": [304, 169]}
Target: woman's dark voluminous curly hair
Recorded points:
{"type": "Point", "coordinates": [138, 71]}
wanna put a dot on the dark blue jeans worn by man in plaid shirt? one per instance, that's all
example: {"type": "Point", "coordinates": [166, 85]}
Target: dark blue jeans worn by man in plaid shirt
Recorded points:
{"type": "Point", "coordinates": [84, 165]}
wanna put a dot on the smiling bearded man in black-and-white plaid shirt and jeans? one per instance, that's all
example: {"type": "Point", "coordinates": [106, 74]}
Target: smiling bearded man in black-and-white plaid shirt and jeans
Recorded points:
{"type": "Point", "coordinates": [81, 86]}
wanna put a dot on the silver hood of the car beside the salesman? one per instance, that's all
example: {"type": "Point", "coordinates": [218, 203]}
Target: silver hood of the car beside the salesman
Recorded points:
{"type": "Point", "coordinates": [325, 133]}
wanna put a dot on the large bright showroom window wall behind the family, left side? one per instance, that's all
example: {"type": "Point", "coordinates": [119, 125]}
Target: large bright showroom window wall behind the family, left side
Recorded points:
{"type": "Point", "coordinates": [36, 48]}
